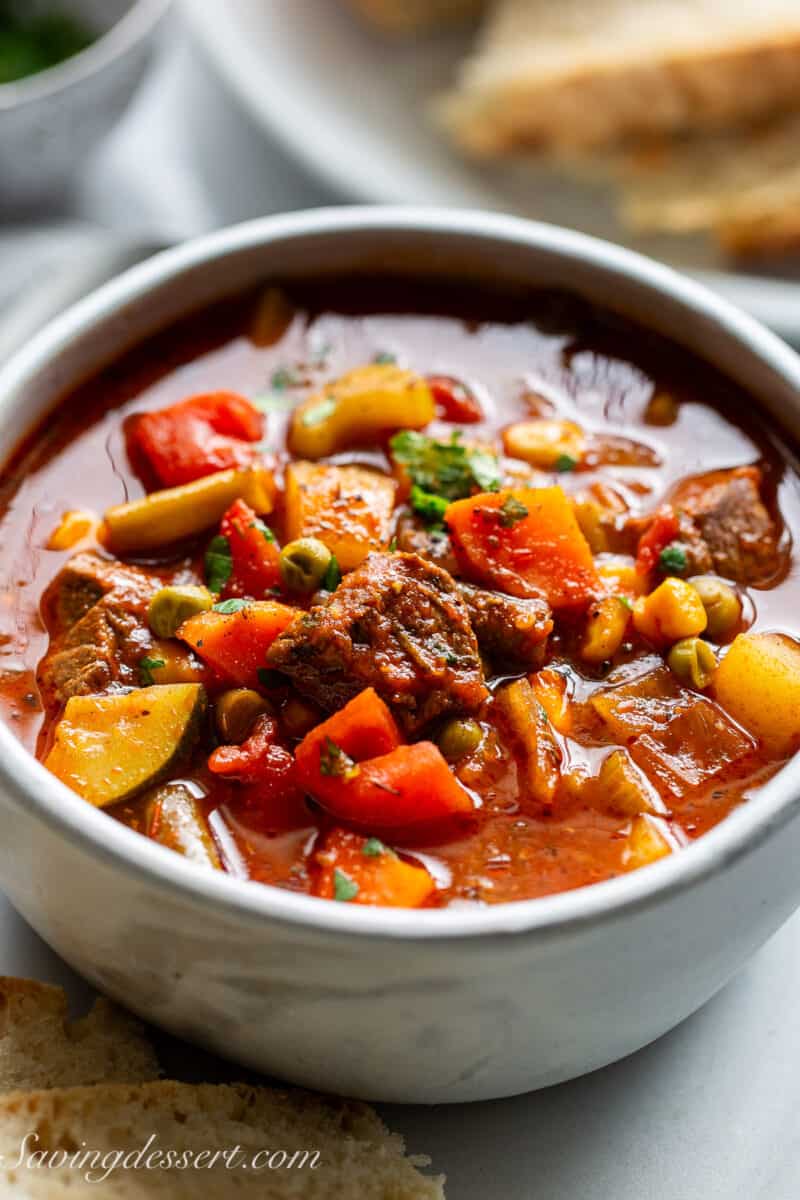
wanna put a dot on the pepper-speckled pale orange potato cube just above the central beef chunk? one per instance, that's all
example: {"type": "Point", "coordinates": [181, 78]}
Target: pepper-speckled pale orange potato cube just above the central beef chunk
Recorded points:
{"type": "Point", "coordinates": [350, 509]}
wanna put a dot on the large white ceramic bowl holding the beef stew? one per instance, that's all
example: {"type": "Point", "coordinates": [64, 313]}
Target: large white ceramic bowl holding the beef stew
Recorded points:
{"type": "Point", "coordinates": [387, 1004]}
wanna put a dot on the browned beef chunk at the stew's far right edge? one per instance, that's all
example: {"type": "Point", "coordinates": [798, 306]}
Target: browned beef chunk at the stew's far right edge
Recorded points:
{"type": "Point", "coordinates": [727, 529]}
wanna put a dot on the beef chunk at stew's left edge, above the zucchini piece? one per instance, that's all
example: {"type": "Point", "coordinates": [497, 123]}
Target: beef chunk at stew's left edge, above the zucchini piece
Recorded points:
{"type": "Point", "coordinates": [97, 613]}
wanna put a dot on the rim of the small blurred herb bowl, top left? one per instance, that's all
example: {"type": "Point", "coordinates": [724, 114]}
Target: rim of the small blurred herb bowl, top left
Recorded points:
{"type": "Point", "coordinates": [133, 28]}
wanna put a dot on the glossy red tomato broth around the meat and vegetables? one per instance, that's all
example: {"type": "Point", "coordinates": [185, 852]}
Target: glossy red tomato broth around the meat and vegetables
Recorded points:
{"type": "Point", "coordinates": [518, 357]}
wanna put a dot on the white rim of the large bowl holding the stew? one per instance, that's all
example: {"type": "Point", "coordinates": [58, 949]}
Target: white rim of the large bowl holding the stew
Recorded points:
{"type": "Point", "coordinates": [27, 783]}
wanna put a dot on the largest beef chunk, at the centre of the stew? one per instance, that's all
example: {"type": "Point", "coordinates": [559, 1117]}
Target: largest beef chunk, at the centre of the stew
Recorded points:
{"type": "Point", "coordinates": [399, 625]}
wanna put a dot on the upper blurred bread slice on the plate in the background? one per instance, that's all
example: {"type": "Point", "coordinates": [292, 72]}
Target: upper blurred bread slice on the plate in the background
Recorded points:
{"type": "Point", "coordinates": [566, 75]}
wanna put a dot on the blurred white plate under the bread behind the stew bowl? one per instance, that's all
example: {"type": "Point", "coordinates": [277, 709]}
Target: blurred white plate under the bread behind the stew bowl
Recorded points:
{"type": "Point", "coordinates": [352, 107]}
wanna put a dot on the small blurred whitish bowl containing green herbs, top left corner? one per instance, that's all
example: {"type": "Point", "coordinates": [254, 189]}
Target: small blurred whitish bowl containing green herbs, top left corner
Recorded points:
{"type": "Point", "coordinates": [51, 122]}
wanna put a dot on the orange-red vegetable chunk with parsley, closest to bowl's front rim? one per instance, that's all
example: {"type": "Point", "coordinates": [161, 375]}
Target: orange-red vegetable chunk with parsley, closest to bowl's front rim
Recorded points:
{"type": "Point", "coordinates": [363, 871]}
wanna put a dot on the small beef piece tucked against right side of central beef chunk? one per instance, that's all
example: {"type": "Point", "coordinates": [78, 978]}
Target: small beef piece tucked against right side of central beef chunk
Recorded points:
{"type": "Point", "coordinates": [512, 632]}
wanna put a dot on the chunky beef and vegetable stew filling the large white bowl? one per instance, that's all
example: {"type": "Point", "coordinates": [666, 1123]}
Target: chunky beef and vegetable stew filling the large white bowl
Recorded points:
{"type": "Point", "coordinates": [381, 595]}
